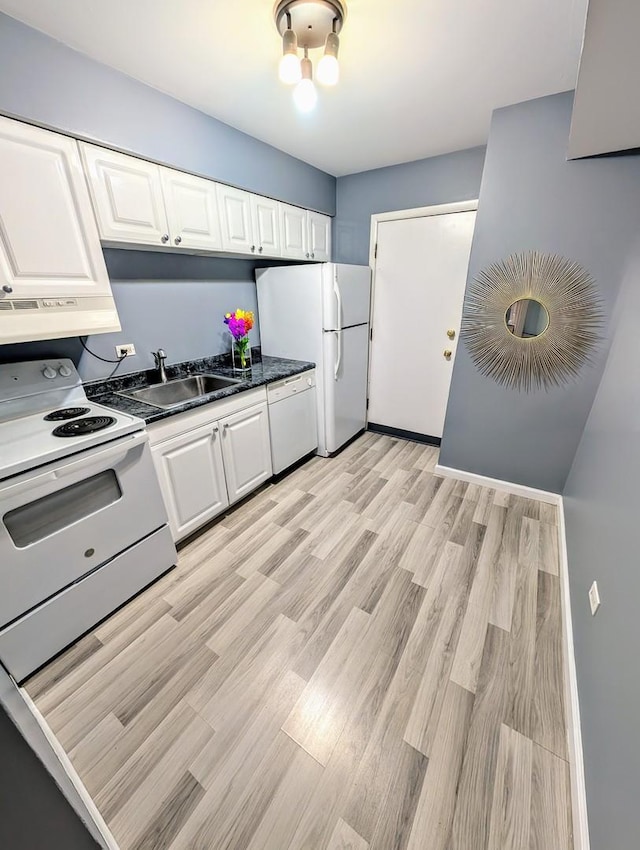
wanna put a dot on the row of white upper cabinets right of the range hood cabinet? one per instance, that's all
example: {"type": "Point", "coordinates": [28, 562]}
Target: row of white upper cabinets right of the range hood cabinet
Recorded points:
{"type": "Point", "coordinates": [140, 203]}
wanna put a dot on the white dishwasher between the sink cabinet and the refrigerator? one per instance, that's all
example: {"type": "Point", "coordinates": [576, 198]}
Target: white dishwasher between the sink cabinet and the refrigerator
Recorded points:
{"type": "Point", "coordinates": [292, 419]}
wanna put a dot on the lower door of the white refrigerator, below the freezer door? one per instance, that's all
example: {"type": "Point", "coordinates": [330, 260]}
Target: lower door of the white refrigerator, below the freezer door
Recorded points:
{"type": "Point", "coordinates": [345, 386]}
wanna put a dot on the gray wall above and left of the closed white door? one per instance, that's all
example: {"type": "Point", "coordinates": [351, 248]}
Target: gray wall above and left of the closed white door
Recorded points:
{"type": "Point", "coordinates": [436, 180]}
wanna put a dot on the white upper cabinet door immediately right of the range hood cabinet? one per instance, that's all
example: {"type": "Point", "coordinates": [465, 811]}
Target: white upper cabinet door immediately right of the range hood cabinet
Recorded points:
{"type": "Point", "coordinates": [127, 197]}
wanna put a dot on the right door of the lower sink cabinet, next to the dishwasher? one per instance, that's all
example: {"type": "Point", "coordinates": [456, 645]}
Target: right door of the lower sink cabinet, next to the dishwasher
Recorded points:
{"type": "Point", "coordinates": [246, 450]}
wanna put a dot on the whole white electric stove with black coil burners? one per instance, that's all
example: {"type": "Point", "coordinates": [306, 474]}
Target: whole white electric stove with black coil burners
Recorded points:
{"type": "Point", "coordinates": [83, 526]}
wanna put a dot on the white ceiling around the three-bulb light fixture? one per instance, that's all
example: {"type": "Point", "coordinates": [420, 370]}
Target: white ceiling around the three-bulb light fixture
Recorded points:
{"type": "Point", "coordinates": [419, 77]}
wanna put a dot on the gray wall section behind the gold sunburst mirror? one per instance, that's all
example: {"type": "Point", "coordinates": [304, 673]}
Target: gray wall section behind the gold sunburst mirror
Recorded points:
{"type": "Point", "coordinates": [533, 198]}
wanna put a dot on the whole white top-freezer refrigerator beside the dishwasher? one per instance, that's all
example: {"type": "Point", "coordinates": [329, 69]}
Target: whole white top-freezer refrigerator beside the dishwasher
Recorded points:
{"type": "Point", "coordinates": [321, 313]}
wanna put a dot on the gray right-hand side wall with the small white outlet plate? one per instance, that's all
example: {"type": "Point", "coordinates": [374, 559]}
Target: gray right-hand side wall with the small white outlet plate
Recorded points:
{"type": "Point", "coordinates": [601, 509]}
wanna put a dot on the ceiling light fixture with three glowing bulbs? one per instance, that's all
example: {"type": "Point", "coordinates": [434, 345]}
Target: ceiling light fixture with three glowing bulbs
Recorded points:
{"type": "Point", "coordinates": [309, 24]}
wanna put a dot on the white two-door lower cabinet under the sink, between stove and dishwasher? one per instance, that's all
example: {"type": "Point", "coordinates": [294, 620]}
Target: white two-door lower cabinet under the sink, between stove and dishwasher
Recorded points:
{"type": "Point", "coordinates": [211, 457]}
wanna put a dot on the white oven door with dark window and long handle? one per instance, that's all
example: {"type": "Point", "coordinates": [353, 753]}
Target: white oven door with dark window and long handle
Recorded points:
{"type": "Point", "coordinates": [61, 521]}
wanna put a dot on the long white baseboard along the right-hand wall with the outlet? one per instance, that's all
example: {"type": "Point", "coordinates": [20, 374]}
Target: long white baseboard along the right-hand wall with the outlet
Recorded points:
{"type": "Point", "coordinates": [572, 706]}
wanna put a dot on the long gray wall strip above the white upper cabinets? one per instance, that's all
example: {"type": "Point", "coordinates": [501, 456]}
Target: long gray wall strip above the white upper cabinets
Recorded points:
{"type": "Point", "coordinates": [43, 81]}
